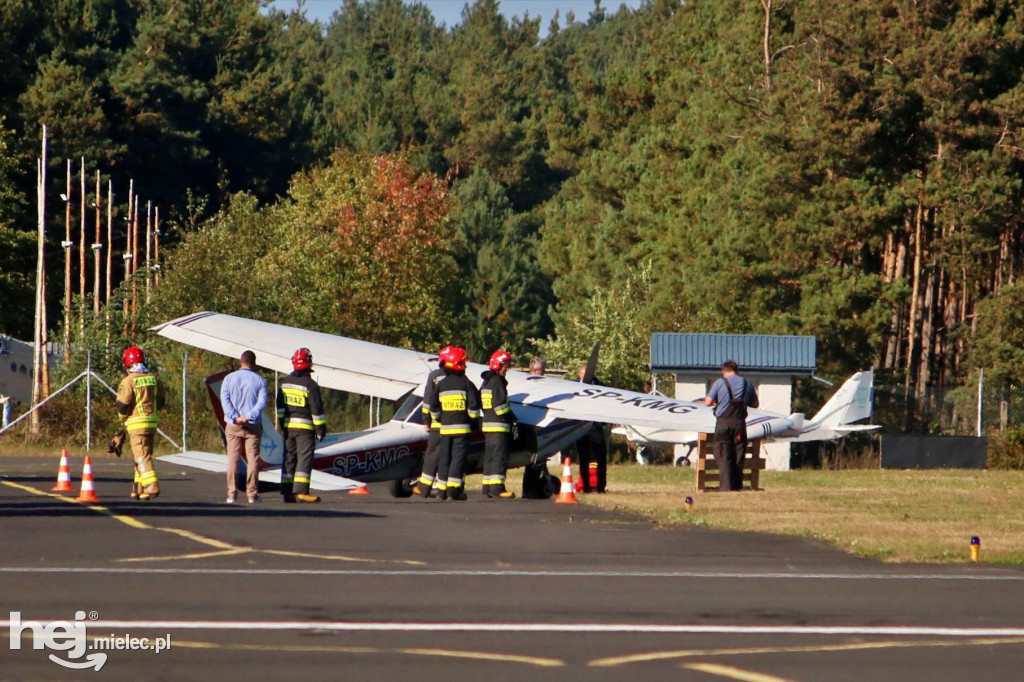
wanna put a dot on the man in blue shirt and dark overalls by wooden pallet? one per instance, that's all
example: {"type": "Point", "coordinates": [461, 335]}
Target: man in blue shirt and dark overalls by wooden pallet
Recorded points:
{"type": "Point", "coordinates": [732, 396]}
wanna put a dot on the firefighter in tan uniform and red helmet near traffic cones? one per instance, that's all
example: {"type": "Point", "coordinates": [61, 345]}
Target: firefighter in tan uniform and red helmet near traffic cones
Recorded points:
{"type": "Point", "coordinates": [137, 403]}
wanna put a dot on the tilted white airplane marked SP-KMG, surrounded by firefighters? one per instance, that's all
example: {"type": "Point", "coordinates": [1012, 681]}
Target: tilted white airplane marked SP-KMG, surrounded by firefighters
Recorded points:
{"type": "Point", "coordinates": [553, 413]}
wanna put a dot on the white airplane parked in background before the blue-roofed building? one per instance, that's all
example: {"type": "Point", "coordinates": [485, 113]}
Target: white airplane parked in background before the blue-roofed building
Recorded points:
{"type": "Point", "coordinates": [838, 418]}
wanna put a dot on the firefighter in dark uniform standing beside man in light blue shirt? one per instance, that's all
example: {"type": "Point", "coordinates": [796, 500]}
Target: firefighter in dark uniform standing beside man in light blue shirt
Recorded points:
{"type": "Point", "coordinates": [301, 412]}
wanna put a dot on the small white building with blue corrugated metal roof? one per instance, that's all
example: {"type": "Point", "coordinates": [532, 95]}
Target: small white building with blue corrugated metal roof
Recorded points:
{"type": "Point", "coordinates": [771, 362]}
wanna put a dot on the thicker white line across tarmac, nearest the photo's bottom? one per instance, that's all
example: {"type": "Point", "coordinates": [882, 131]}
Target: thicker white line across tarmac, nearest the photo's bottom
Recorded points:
{"type": "Point", "coordinates": [566, 628]}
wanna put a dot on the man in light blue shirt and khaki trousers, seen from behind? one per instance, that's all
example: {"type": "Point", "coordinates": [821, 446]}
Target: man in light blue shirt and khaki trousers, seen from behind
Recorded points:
{"type": "Point", "coordinates": [243, 395]}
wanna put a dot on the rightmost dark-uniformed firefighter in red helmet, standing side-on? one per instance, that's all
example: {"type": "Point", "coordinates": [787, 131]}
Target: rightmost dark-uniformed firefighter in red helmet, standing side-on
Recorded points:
{"type": "Point", "coordinates": [499, 421]}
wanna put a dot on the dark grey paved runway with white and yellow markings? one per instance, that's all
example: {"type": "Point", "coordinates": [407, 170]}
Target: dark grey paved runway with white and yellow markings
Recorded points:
{"type": "Point", "coordinates": [375, 588]}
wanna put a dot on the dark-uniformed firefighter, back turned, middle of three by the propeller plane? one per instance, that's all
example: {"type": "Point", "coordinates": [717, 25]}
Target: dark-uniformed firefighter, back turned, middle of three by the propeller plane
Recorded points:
{"type": "Point", "coordinates": [455, 405]}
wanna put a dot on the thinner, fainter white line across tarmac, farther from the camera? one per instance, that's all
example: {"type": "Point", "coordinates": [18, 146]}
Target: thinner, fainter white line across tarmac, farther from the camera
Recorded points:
{"type": "Point", "coordinates": [521, 574]}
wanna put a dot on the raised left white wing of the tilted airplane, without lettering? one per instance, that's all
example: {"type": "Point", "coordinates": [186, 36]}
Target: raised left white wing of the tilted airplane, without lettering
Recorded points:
{"type": "Point", "coordinates": [339, 363]}
